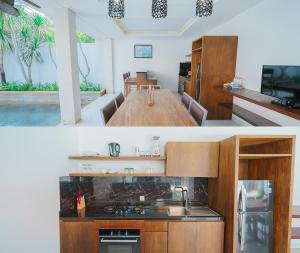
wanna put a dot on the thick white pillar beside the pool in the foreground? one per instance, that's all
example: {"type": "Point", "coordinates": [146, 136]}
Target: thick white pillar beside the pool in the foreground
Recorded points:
{"type": "Point", "coordinates": [67, 63]}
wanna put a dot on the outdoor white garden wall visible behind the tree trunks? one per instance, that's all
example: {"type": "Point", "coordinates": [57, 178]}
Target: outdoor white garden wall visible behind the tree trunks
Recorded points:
{"type": "Point", "coordinates": [46, 72]}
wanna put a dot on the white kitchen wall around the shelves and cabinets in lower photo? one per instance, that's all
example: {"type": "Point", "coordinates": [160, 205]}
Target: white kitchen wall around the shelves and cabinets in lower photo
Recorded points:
{"type": "Point", "coordinates": [32, 159]}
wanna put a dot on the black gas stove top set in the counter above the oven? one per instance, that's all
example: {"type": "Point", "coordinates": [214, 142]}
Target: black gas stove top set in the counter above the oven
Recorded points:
{"type": "Point", "coordinates": [124, 210]}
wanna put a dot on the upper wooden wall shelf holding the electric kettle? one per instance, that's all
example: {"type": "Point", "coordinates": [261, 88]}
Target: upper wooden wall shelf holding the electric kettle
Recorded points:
{"type": "Point", "coordinates": [120, 158]}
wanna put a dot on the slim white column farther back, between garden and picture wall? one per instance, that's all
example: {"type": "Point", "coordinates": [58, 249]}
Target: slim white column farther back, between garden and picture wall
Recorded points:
{"type": "Point", "coordinates": [108, 66]}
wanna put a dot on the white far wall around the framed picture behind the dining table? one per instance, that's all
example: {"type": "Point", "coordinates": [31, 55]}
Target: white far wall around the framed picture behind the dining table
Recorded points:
{"type": "Point", "coordinates": [167, 54]}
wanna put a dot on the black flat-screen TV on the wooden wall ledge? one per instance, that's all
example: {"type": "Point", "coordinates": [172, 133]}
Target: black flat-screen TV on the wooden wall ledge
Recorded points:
{"type": "Point", "coordinates": [281, 82]}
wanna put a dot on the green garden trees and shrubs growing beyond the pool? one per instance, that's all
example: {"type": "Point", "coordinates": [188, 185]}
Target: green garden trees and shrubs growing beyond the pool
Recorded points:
{"type": "Point", "coordinates": [26, 37]}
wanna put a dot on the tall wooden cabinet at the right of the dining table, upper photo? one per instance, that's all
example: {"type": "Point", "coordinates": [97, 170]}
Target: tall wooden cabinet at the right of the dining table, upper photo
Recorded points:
{"type": "Point", "coordinates": [215, 57]}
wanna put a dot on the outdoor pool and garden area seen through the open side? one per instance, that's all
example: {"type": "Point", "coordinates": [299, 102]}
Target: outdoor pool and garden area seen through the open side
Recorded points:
{"type": "Point", "coordinates": [28, 70]}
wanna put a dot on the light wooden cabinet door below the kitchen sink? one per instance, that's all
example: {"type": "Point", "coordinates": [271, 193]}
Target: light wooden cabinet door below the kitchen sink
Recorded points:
{"type": "Point", "coordinates": [196, 237]}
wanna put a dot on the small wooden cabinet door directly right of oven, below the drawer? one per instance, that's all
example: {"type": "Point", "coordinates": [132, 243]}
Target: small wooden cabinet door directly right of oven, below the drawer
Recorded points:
{"type": "Point", "coordinates": [156, 242]}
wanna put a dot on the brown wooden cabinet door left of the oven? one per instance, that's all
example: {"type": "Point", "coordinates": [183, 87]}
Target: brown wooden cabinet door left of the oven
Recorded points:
{"type": "Point", "coordinates": [78, 237]}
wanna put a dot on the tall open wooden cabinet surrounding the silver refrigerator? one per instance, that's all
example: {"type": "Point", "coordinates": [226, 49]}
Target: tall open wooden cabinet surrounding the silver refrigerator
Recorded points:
{"type": "Point", "coordinates": [255, 158]}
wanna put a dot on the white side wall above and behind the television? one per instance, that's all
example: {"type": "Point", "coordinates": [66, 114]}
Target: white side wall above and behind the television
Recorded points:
{"type": "Point", "coordinates": [268, 35]}
